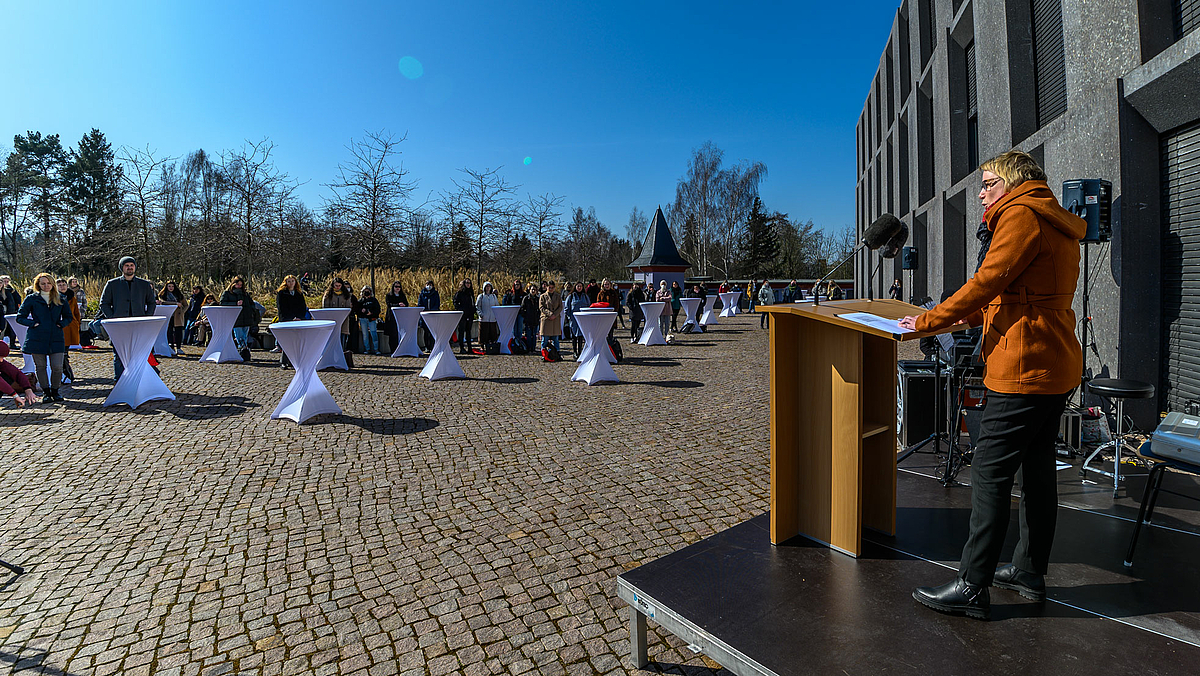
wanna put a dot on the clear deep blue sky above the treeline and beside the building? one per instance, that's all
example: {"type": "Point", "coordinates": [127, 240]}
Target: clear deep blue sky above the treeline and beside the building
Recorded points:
{"type": "Point", "coordinates": [607, 99]}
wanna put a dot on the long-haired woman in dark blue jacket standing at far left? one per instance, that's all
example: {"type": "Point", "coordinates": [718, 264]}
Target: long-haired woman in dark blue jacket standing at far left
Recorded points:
{"type": "Point", "coordinates": [46, 315]}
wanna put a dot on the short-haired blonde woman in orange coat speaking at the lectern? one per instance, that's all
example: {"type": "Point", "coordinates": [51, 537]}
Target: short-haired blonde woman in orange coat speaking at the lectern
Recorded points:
{"type": "Point", "coordinates": [1022, 296]}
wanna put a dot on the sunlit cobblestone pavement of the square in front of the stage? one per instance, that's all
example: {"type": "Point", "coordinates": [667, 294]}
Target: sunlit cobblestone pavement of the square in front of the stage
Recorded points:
{"type": "Point", "coordinates": [459, 527]}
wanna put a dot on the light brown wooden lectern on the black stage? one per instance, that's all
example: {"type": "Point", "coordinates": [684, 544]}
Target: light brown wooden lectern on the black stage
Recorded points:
{"type": "Point", "coordinates": [833, 421]}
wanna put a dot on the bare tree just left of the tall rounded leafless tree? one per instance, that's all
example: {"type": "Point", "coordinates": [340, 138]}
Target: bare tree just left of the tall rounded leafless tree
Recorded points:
{"type": "Point", "coordinates": [254, 181]}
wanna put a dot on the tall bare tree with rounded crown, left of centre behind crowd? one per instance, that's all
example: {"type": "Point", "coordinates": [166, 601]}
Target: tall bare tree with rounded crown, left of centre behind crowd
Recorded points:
{"type": "Point", "coordinates": [370, 195]}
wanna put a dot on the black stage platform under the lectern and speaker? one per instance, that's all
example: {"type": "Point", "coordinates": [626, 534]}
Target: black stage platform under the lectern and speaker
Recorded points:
{"type": "Point", "coordinates": [801, 608]}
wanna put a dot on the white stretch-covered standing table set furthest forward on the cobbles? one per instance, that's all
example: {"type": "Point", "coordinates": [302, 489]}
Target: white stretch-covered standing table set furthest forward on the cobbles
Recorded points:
{"type": "Point", "coordinates": [304, 344]}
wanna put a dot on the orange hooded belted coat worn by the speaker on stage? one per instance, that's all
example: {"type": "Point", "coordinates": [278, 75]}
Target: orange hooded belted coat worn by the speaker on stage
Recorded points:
{"type": "Point", "coordinates": [1024, 290]}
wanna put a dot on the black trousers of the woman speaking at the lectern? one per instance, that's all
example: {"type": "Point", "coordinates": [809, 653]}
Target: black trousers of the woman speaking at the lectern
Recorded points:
{"type": "Point", "coordinates": [1017, 434]}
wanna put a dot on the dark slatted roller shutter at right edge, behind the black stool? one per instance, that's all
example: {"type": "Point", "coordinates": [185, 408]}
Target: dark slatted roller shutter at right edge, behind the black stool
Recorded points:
{"type": "Point", "coordinates": [1181, 268]}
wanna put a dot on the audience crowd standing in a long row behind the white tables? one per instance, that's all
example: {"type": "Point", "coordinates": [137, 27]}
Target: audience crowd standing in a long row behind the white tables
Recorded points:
{"type": "Point", "coordinates": [53, 312]}
